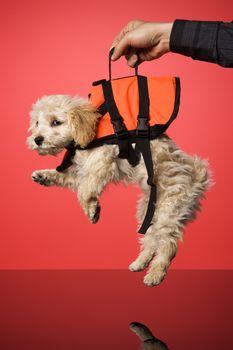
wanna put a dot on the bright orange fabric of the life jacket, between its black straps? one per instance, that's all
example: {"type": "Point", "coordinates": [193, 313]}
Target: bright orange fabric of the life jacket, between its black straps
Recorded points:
{"type": "Point", "coordinates": [125, 91]}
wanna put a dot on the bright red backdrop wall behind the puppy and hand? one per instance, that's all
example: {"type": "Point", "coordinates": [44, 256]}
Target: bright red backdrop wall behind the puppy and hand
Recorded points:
{"type": "Point", "coordinates": [50, 47]}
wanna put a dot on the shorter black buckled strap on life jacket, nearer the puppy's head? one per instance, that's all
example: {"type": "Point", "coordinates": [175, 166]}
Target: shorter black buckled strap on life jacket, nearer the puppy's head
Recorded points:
{"type": "Point", "coordinates": [126, 150]}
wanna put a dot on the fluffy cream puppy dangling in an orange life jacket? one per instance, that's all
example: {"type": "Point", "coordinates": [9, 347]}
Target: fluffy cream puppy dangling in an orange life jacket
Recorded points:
{"type": "Point", "coordinates": [181, 180]}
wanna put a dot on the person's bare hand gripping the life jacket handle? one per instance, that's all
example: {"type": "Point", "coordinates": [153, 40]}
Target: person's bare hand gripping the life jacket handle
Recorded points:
{"type": "Point", "coordinates": [143, 41]}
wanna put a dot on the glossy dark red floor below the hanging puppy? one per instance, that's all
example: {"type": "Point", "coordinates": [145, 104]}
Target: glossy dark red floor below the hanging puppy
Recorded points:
{"type": "Point", "coordinates": [113, 310]}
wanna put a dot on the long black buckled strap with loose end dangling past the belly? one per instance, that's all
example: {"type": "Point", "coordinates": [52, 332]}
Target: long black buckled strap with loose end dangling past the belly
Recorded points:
{"type": "Point", "coordinates": [143, 146]}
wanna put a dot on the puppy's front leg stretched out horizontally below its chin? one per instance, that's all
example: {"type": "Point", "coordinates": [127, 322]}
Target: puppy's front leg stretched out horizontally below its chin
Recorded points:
{"type": "Point", "coordinates": [51, 177]}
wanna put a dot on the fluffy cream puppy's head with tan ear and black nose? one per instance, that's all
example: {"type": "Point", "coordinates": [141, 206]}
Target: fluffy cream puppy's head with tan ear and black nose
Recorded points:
{"type": "Point", "coordinates": [56, 120]}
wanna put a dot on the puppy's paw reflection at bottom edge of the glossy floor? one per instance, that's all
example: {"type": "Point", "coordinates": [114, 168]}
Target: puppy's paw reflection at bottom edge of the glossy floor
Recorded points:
{"type": "Point", "coordinates": [148, 340]}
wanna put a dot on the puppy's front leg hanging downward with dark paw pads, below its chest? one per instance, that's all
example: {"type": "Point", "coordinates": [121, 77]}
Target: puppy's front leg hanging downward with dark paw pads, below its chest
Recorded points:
{"type": "Point", "coordinates": [99, 169]}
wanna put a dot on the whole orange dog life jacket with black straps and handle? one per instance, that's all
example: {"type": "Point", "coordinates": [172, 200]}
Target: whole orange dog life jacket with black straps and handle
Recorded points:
{"type": "Point", "coordinates": [135, 110]}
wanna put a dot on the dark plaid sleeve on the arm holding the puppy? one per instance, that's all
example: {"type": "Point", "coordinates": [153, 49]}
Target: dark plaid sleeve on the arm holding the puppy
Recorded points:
{"type": "Point", "coordinates": [204, 41]}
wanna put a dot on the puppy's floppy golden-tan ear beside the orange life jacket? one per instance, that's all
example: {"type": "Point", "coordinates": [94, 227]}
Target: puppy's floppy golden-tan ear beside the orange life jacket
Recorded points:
{"type": "Point", "coordinates": [83, 120]}
